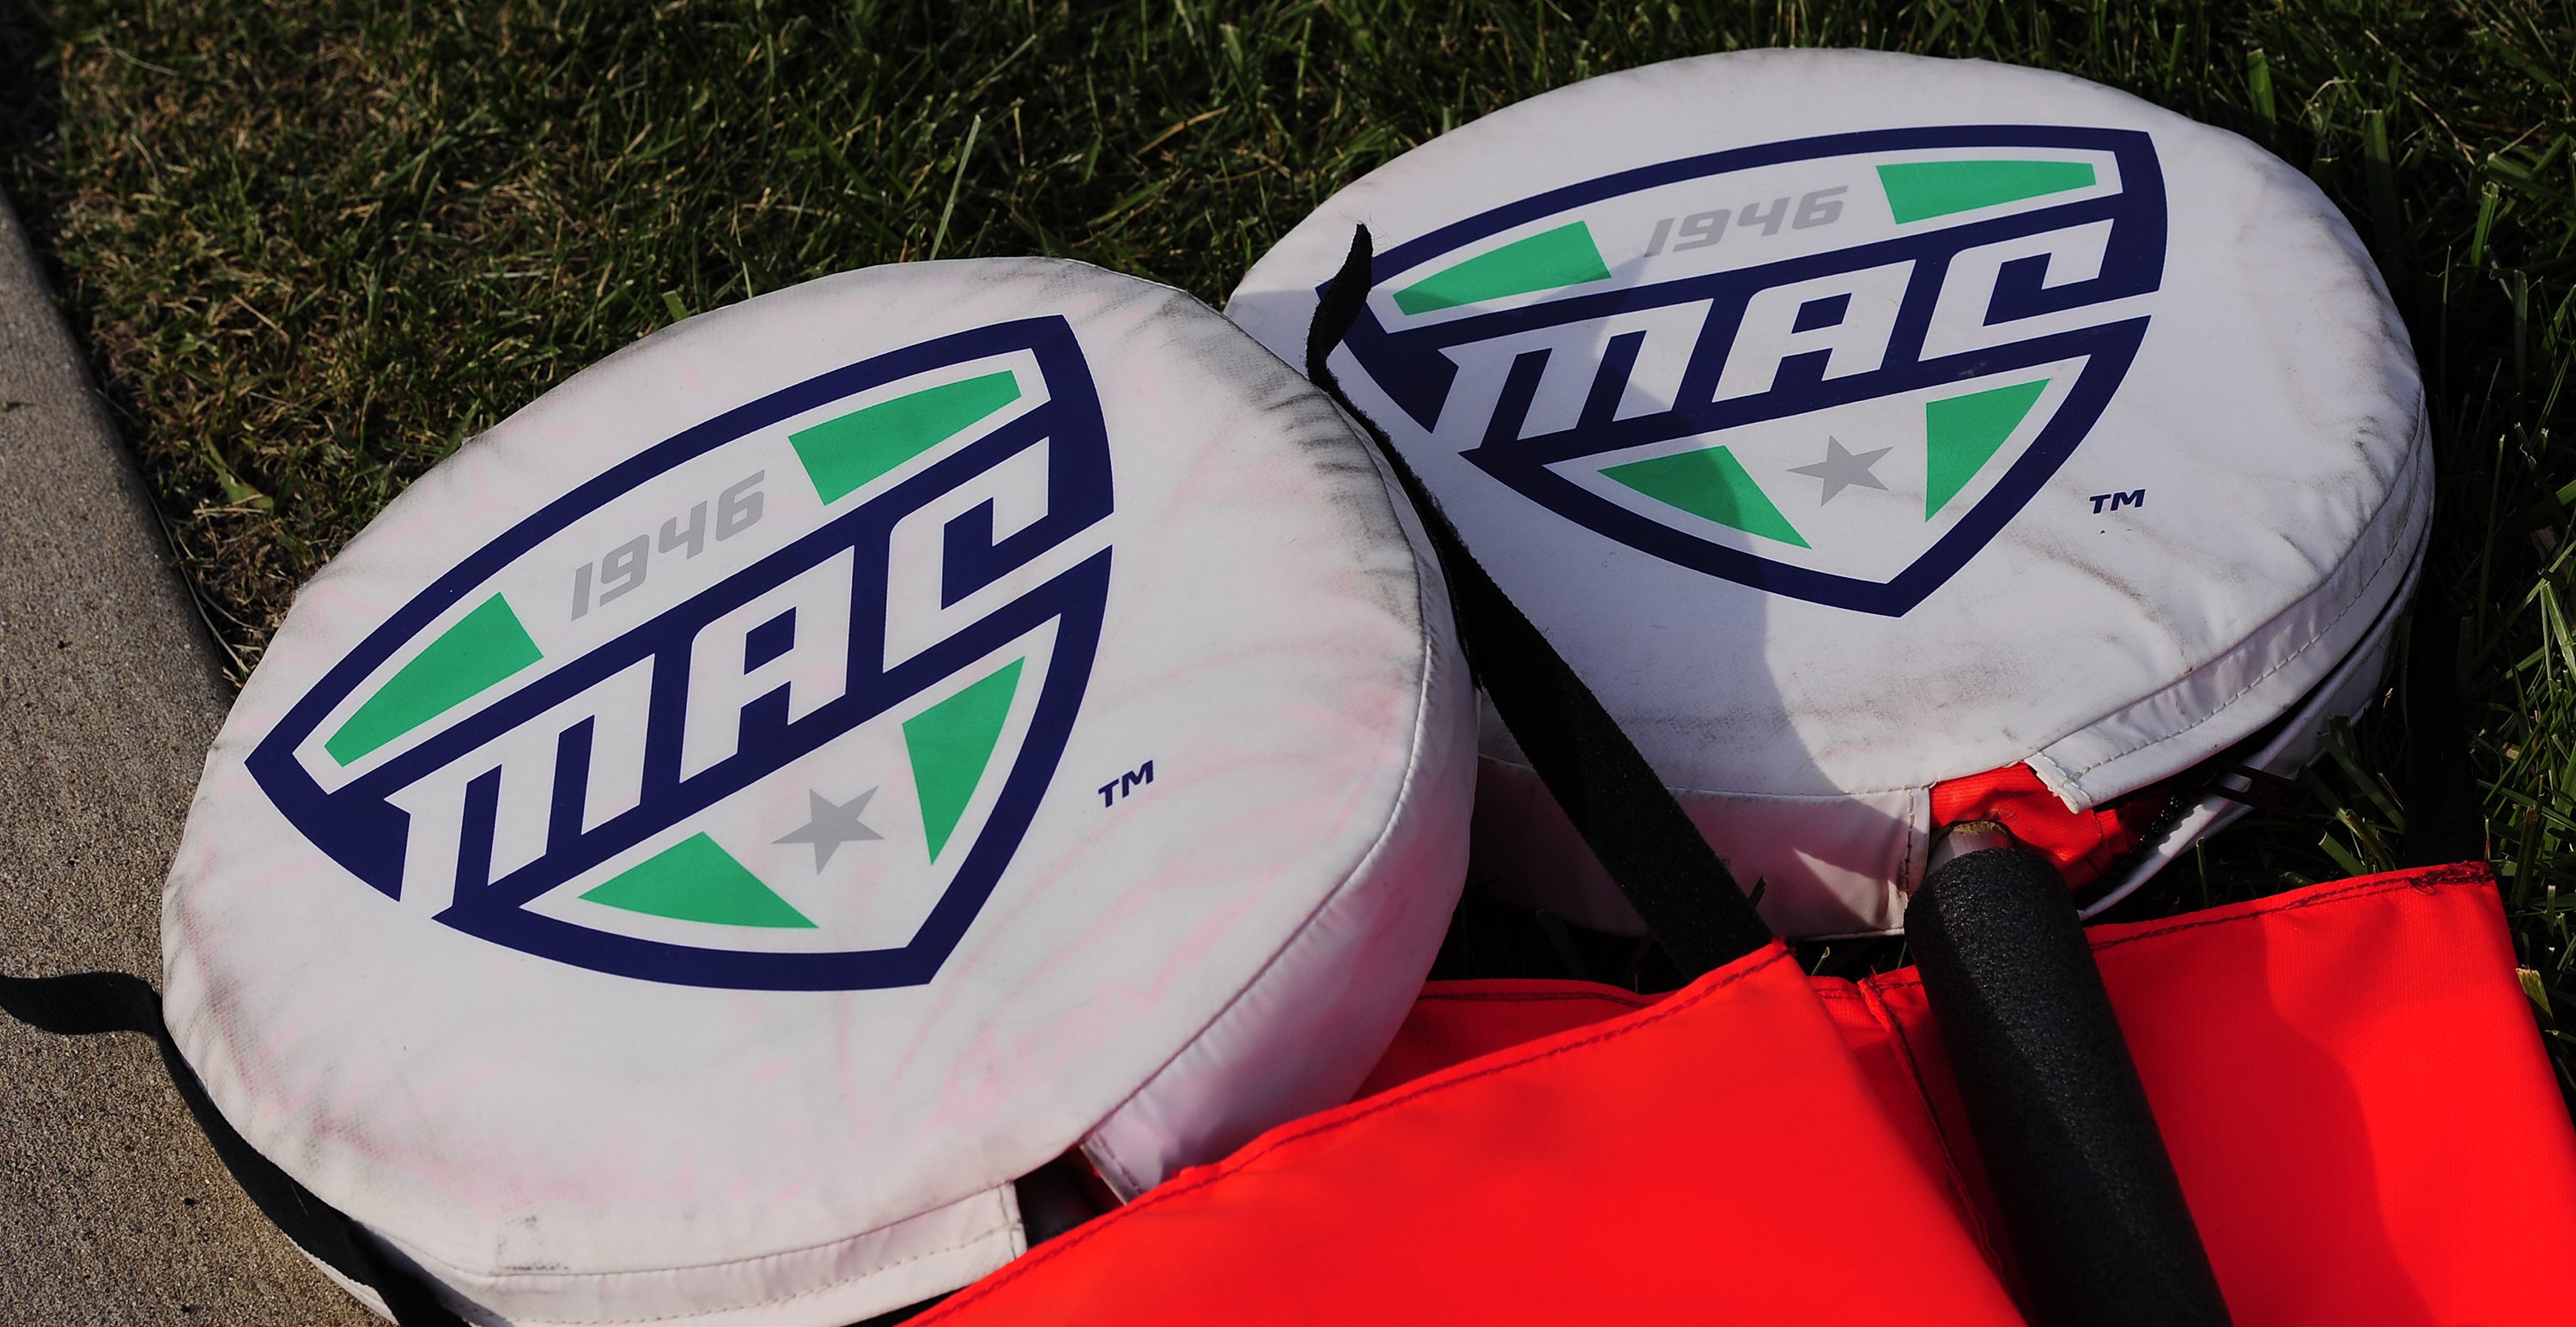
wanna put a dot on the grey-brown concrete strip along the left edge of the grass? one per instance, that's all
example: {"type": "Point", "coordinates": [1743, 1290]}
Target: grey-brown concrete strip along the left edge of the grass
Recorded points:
{"type": "Point", "coordinates": [112, 1205]}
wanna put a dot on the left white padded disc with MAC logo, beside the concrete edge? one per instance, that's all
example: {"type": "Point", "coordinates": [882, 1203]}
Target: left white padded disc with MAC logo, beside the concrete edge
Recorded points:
{"type": "Point", "coordinates": [717, 831]}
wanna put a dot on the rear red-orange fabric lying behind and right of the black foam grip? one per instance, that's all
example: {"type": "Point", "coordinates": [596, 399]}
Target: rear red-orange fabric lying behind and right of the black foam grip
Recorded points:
{"type": "Point", "coordinates": [2345, 1076]}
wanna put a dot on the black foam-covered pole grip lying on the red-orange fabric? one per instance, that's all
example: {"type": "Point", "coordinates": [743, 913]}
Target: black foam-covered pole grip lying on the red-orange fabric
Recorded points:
{"type": "Point", "coordinates": [2080, 1174]}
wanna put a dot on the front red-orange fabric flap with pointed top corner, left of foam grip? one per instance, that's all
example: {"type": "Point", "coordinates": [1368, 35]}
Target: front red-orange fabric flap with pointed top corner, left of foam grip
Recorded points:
{"type": "Point", "coordinates": [1714, 1158]}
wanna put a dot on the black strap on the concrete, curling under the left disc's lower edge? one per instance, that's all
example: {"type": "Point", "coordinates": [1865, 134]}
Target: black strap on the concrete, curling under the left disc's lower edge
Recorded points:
{"type": "Point", "coordinates": [122, 1004]}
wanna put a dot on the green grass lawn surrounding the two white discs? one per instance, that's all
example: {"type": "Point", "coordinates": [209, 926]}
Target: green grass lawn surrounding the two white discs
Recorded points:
{"type": "Point", "coordinates": [313, 246]}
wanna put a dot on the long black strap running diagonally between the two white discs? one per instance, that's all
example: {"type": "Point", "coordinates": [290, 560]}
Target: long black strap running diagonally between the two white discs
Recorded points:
{"type": "Point", "coordinates": [1614, 797]}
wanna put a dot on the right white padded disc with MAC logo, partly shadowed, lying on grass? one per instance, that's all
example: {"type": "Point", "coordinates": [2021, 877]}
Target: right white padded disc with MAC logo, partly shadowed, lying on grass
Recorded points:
{"type": "Point", "coordinates": [1864, 421]}
